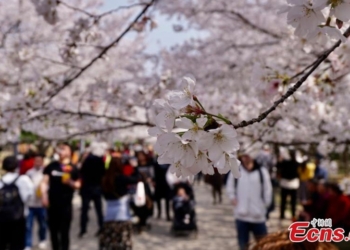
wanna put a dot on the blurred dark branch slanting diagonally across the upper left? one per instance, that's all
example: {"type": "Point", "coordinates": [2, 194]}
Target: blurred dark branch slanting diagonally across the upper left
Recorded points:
{"type": "Point", "coordinates": [67, 82]}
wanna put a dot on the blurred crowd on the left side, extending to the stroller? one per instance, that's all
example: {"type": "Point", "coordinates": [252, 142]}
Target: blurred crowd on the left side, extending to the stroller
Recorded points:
{"type": "Point", "coordinates": [31, 190]}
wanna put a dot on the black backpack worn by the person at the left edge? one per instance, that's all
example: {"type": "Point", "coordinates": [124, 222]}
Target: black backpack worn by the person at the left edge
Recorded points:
{"type": "Point", "coordinates": [11, 204]}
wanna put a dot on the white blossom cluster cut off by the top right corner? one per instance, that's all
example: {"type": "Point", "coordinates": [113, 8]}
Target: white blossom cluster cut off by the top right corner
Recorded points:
{"type": "Point", "coordinates": [318, 19]}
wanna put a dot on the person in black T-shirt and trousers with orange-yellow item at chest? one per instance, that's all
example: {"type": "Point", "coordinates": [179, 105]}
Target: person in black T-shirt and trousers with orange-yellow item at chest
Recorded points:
{"type": "Point", "coordinates": [61, 178]}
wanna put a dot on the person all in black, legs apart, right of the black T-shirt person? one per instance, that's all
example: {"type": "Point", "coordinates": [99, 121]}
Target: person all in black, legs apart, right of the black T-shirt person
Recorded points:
{"type": "Point", "coordinates": [91, 173]}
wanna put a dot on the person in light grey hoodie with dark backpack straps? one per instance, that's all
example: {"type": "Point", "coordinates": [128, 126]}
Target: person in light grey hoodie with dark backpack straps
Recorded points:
{"type": "Point", "coordinates": [250, 195]}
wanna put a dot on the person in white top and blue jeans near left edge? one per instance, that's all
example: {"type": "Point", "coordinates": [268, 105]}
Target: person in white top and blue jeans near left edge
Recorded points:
{"type": "Point", "coordinates": [36, 209]}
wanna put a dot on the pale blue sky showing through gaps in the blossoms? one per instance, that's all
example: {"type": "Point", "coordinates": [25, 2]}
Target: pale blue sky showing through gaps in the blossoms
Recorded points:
{"type": "Point", "coordinates": [163, 35]}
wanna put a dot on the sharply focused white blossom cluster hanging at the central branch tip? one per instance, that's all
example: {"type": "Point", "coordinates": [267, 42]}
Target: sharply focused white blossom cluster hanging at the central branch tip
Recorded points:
{"type": "Point", "coordinates": [191, 139]}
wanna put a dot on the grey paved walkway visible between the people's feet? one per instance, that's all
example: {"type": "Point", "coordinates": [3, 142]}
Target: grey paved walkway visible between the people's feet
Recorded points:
{"type": "Point", "coordinates": [215, 223]}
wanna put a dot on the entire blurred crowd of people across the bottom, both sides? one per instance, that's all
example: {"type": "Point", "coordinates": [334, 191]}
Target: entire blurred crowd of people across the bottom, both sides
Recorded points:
{"type": "Point", "coordinates": [126, 185]}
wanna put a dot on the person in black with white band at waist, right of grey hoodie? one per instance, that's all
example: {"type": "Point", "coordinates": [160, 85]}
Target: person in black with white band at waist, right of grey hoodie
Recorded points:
{"type": "Point", "coordinates": [289, 183]}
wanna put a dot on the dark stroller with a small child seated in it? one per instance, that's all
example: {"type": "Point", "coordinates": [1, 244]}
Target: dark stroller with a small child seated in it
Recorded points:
{"type": "Point", "coordinates": [184, 222]}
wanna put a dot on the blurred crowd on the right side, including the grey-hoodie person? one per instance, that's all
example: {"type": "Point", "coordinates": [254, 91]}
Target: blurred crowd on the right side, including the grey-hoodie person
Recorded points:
{"type": "Point", "coordinates": [303, 181]}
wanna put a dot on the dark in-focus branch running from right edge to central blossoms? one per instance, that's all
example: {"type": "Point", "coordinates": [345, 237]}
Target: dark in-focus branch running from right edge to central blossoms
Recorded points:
{"type": "Point", "coordinates": [295, 87]}
